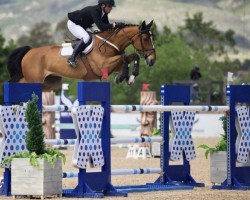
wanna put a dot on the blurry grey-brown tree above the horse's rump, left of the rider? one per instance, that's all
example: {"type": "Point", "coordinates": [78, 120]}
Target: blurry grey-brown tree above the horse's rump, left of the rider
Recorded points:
{"type": "Point", "coordinates": [40, 35]}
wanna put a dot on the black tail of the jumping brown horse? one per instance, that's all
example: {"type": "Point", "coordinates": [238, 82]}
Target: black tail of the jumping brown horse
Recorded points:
{"type": "Point", "coordinates": [14, 63]}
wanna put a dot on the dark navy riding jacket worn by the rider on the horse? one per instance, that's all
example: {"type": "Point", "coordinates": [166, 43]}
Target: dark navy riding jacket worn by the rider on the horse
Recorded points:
{"type": "Point", "coordinates": [87, 16]}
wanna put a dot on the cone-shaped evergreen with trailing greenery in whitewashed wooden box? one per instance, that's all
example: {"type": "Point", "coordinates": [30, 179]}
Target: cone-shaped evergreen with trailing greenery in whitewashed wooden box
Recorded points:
{"type": "Point", "coordinates": [37, 172]}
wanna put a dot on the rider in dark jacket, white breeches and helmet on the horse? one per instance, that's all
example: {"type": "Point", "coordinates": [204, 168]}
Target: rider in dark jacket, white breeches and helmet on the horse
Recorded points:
{"type": "Point", "coordinates": [82, 19]}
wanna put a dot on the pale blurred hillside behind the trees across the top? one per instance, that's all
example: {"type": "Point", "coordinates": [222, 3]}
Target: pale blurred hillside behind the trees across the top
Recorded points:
{"type": "Point", "coordinates": [17, 17]}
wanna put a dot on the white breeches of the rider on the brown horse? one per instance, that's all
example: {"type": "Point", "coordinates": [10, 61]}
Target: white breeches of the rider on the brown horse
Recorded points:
{"type": "Point", "coordinates": [78, 31]}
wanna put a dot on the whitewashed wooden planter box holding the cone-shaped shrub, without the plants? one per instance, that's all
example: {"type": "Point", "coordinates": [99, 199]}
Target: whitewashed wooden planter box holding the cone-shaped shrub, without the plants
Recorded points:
{"type": "Point", "coordinates": [28, 180]}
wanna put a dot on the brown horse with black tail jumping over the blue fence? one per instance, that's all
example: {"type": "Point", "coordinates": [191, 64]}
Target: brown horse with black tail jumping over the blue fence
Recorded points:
{"type": "Point", "coordinates": [46, 65]}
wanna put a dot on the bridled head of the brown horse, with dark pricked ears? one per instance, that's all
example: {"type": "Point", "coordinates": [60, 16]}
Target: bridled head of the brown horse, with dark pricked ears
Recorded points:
{"type": "Point", "coordinates": [143, 43]}
